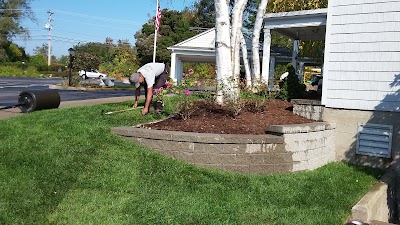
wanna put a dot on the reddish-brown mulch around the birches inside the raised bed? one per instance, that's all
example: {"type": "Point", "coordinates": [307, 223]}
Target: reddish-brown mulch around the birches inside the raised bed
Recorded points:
{"type": "Point", "coordinates": [217, 119]}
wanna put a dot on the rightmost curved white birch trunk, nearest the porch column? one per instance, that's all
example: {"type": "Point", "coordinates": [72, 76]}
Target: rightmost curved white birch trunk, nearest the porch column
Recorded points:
{"type": "Point", "coordinates": [256, 39]}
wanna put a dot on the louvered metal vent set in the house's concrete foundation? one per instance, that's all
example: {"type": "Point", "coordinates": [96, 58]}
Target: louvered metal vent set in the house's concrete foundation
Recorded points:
{"type": "Point", "coordinates": [374, 140]}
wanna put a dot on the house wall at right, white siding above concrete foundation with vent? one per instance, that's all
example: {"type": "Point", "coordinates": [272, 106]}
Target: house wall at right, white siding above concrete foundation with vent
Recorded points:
{"type": "Point", "coordinates": [362, 77]}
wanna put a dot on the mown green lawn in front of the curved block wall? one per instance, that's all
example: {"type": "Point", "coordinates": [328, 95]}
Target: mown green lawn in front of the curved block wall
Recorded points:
{"type": "Point", "coordinates": [63, 166]}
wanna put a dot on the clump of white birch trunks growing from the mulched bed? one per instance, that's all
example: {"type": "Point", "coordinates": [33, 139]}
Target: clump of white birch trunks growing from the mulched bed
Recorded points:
{"type": "Point", "coordinates": [227, 46]}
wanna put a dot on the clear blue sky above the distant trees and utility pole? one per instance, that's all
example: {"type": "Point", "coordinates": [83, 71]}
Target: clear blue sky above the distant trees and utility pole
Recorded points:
{"type": "Point", "coordinates": [86, 21]}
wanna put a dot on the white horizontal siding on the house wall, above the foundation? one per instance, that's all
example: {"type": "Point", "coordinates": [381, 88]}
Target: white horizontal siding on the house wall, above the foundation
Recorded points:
{"type": "Point", "coordinates": [362, 55]}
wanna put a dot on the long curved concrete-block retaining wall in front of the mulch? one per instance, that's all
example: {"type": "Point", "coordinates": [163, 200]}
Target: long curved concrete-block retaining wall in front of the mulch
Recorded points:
{"type": "Point", "coordinates": [283, 152]}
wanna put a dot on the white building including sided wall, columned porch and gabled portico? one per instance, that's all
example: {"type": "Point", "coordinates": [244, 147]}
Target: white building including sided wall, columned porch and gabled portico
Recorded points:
{"type": "Point", "coordinates": [361, 71]}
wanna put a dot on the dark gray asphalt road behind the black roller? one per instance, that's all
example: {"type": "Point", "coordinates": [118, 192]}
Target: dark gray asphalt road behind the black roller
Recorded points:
{"type": "Point", "coordinates": [11, 87]}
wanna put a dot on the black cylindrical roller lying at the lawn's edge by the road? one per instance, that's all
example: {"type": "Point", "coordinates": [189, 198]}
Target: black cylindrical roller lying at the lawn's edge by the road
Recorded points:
{"type": "Point", "coordinates": [30, 101]}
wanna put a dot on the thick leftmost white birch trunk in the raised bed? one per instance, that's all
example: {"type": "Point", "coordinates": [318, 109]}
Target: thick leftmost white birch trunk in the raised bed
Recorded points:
{"type": "Point", "coordinates": [222, 50]}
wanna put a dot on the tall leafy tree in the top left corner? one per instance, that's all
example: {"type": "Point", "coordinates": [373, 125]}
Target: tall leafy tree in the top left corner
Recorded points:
{"type": "Point", "coordinates": [11, 14]}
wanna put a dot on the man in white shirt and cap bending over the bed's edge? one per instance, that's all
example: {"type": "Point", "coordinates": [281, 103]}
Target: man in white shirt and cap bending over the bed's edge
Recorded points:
{"type": "Point", "coordinates": [153, 76]}
